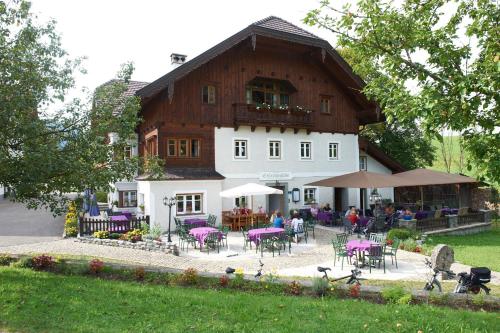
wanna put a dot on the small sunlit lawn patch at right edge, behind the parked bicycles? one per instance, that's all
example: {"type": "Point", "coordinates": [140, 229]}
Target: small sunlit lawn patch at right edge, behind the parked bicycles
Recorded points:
{"type": "Point", "coordinates": [481, 249]}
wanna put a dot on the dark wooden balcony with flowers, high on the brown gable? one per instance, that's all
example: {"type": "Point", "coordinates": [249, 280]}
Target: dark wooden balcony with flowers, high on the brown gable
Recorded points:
{"type": "Point", "coordinates": [249, 115]}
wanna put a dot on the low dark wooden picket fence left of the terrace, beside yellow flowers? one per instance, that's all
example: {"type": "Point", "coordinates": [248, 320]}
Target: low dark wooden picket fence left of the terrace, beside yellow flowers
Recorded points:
{"type": "Point", "coordinates": [87, 226]}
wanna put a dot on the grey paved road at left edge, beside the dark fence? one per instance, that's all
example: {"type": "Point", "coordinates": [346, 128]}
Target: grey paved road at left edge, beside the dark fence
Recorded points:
{"type": "Point", "coordinates": [19, 225]}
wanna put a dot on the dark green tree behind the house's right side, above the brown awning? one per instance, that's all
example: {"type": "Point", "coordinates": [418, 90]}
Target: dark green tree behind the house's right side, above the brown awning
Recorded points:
{"type": "Point", "coordinates": [404, 143]}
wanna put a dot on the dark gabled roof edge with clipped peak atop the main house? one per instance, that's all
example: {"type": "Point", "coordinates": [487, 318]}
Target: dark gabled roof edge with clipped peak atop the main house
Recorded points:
{"type": "Point", "coordinates": [272, 27]}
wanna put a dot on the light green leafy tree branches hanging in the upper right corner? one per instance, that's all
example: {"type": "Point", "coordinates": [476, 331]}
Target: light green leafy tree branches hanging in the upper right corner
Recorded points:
{"type": "Point", "coordinates": [435, 61]}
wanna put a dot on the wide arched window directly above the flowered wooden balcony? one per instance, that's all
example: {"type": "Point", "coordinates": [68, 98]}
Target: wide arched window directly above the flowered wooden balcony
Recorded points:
{"type": "Point", "coordinates": [272, 92]}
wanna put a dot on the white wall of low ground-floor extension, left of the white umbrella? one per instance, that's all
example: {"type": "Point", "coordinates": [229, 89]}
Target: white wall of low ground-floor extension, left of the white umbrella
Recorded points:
{"type": "Point", "coordinates": [154, 192]}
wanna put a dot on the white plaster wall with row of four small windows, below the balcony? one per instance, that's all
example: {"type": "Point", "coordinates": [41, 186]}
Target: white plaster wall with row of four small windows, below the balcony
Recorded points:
{"type": "Point", "coordinates": [301, 172]}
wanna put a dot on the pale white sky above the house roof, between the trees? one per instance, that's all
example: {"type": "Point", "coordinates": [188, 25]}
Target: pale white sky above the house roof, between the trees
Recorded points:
{"type": "Point", "coordinates": [111, 32]}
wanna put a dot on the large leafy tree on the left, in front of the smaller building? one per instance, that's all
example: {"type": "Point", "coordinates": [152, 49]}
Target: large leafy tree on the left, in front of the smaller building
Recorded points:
{"type": "Point", "coordinates": [45, 154]}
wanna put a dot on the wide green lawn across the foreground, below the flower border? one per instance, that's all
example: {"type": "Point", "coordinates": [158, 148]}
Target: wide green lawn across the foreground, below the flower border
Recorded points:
{"type": "Point", "coordinates": [43, 302]}
